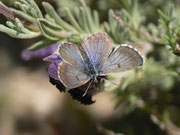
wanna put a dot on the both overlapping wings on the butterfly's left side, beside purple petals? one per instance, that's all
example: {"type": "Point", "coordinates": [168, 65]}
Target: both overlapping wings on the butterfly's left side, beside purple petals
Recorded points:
{"type": "Point", "coordinates": [72, 70]}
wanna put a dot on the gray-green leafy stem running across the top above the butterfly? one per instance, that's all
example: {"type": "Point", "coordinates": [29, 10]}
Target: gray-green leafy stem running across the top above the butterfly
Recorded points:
{"type": "Point", "coordinates": [125, 25]}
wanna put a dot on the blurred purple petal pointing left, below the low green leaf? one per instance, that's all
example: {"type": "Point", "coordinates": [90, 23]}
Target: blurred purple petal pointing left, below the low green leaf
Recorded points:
{"type": "Point", "coordinates": [41, 53]}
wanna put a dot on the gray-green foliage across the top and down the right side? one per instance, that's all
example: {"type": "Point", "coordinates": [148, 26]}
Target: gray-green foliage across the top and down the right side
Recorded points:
{"type": "Point", "coordinates": [147, 88]}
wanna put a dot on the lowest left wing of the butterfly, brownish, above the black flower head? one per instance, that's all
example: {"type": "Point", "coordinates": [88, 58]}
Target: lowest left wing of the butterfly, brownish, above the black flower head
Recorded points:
{"type": "Point", "coordinates": [71, 76]}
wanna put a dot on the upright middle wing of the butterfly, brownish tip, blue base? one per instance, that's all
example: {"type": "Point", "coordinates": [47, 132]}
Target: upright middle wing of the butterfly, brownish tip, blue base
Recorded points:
{"type": "Point", "coordinates": [98, 47]}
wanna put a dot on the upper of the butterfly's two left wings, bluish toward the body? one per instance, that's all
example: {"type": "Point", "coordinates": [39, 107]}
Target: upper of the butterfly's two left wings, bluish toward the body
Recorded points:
{"type": "Point", "coordinates": [70, 53]}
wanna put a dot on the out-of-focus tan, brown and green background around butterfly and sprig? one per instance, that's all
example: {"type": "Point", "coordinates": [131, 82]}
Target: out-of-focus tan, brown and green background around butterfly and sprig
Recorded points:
{"type": "Point", "coordinates": [146, 103]}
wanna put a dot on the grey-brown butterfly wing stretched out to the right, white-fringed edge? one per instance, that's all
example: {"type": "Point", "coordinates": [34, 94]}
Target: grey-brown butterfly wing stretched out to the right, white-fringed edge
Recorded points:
{"type": "Point", "coordinates": [122, 58]}
